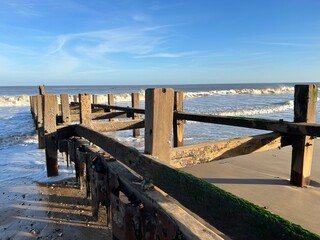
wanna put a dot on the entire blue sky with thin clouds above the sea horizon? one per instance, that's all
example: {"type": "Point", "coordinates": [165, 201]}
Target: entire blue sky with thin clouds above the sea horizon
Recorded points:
{"type": "Point", "coordinates": [62, 42]}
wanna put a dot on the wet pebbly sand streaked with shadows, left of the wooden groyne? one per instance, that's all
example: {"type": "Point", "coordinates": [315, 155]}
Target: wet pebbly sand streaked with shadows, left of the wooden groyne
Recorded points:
{"type": "Point", "coordinates": [51, 211]}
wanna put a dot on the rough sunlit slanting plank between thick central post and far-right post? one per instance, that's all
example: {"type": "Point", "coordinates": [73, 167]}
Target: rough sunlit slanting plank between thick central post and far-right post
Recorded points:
{"type": "Point", "coordinates": [217, 150]}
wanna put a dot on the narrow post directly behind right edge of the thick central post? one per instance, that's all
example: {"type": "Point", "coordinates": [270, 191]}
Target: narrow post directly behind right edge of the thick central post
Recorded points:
{"type": "Point", "coordinates": [178, 125]}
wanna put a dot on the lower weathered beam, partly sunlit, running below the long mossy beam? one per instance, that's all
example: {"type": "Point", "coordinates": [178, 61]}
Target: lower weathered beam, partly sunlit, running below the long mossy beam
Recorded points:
{"type": "Point", "coordinates": [158, 200]}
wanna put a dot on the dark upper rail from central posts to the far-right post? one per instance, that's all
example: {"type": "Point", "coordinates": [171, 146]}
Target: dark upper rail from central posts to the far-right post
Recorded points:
{"type": "Point", "coordinates": [311, 129]}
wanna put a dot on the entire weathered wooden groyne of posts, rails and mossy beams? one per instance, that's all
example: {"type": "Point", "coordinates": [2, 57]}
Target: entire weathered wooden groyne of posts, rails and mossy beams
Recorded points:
{"type": "Point", "coordinates": [138, 188]}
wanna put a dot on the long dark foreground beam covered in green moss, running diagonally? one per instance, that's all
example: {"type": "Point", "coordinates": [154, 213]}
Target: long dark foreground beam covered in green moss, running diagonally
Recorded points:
{"type": "Point", "coordinates": [214, 205]}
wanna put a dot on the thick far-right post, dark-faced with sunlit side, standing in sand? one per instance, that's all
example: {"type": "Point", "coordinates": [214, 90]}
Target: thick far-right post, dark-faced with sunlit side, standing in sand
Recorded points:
{"type": "Point", "coordinates": [305, 102]}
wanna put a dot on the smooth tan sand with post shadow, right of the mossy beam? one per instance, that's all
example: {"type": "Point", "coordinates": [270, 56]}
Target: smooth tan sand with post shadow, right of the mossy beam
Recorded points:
{"type": "Point", "coordinates": [264, 179]}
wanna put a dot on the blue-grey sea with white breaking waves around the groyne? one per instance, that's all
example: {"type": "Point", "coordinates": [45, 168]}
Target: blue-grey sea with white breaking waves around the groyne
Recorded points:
{"type": "Point", "coordinates": [20, 157]}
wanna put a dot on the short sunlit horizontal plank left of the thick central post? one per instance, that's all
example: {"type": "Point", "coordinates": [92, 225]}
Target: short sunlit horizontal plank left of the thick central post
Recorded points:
{"type": "Point", "coordinates": [117, 125]}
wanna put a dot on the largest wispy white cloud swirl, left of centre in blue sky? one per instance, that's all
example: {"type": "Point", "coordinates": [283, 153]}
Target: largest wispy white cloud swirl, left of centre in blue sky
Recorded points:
{"type": "Point", "coordinates": [138, 41]}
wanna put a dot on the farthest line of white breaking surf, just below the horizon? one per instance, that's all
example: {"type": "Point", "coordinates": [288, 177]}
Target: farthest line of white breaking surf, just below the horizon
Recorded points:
{"type": "Point", "coordinates": [23, 101]}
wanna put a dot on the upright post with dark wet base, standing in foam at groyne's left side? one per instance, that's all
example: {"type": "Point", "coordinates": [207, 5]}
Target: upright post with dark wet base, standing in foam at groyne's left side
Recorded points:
{"type": "Point", "coordinates": [50, 129]}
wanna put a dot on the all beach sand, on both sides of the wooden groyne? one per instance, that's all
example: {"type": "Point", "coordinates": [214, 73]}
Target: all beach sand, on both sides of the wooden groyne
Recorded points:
{"type": "Point", "coordinates": [61, 211]}
